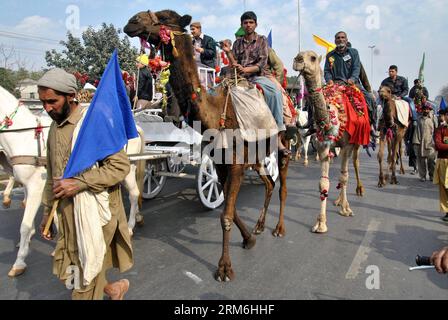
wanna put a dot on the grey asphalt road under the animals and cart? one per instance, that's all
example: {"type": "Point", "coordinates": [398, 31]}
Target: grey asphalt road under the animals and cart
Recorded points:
{"type": "Point", "coordinates": [178, 248]}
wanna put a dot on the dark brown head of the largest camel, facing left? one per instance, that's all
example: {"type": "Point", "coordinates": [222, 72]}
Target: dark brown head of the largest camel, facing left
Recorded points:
{"type": "Point", "coordinates": [146, 24]}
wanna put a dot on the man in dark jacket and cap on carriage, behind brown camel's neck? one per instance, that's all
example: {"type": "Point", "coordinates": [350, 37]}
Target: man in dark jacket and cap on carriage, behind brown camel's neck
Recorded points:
{"type": "Point", "coordinates": [205, 53]}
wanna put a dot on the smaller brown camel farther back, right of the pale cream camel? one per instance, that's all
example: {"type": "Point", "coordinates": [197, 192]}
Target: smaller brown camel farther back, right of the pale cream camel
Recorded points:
{"type": "Point", "coordinates": [392, 134]}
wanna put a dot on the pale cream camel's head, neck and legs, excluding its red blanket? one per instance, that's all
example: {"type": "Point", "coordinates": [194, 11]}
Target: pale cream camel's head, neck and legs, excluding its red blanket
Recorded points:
{"type": "Point", "coordinates": [308, 64]}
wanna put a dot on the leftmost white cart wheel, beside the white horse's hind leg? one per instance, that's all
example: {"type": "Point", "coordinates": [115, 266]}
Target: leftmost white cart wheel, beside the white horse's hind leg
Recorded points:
{"type": "Point", "coordinates": [153, 183]}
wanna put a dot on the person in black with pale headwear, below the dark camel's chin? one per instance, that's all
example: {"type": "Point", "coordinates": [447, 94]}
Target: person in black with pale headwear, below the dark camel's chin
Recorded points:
{"type": "Point", "coordinates": [145, 89]}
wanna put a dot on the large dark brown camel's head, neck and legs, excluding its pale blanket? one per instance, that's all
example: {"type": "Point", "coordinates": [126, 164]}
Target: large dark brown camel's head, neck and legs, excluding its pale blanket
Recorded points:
{"type": "Point", "coordinates": [197, 104]}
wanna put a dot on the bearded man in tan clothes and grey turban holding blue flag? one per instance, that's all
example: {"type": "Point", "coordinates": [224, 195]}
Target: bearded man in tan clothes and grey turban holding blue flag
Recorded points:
{"type": "Point", "coordinates": [57, 91]}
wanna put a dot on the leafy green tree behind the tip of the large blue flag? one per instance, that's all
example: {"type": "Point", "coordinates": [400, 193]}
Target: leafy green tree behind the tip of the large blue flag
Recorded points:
{"type": "Point", "coordinates": [90, 55]}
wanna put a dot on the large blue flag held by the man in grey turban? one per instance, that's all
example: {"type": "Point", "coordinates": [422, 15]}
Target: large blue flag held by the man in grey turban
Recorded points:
{"type": "Point", "coordinates": [108, 124]}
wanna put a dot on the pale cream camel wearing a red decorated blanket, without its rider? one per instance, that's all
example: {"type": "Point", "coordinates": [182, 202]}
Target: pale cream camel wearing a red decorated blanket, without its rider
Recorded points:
{"type": "Point", "coordinates": [340, 113]}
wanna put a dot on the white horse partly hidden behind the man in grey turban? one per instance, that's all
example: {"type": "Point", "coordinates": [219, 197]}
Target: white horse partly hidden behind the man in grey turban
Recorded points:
{"type": "Point", "coordinates": [23, 149]}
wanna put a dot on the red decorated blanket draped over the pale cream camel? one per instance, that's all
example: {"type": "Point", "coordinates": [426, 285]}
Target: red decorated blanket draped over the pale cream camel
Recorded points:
{"type": "Point", "coordinates": [348, 113]}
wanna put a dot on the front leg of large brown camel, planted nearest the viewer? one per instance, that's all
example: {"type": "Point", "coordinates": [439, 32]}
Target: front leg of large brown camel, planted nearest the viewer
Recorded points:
{"type": "Point", "coordinates": [232, 186]}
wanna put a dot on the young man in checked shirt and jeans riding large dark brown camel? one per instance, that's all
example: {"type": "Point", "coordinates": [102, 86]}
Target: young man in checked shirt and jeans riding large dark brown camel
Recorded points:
{"type": "Point", "coordinates": [250, 57]}
